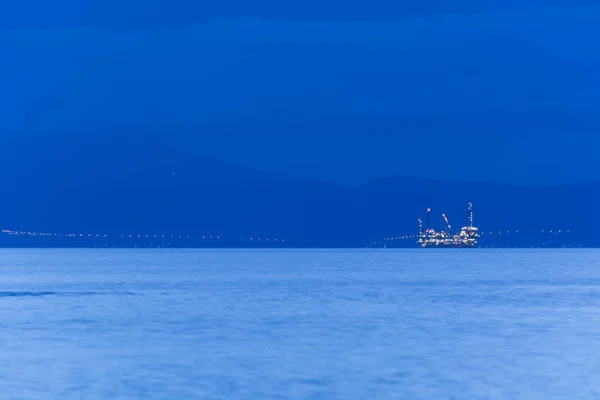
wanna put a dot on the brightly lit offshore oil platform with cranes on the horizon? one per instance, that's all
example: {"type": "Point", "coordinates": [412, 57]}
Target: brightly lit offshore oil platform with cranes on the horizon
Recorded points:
{"type": "Point", "coordinates": [466, 237]}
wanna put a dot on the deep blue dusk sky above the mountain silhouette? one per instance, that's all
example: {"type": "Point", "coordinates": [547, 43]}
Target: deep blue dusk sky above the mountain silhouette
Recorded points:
{"type": "Point", "coordinates": [340, 91]}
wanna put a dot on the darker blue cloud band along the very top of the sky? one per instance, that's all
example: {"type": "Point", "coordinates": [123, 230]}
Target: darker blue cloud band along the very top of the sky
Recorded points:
{"type": "Point", "coordinates": [138, 13]}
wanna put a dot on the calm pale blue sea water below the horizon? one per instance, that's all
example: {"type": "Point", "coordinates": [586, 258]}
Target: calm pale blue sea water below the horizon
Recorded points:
{"type": "Point", "coordinates": [162, 324]}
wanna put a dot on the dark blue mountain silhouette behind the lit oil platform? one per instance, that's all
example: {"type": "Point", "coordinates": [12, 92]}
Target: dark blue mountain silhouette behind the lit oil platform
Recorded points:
{"type": "Point", "coordinates": [117, 185]}
